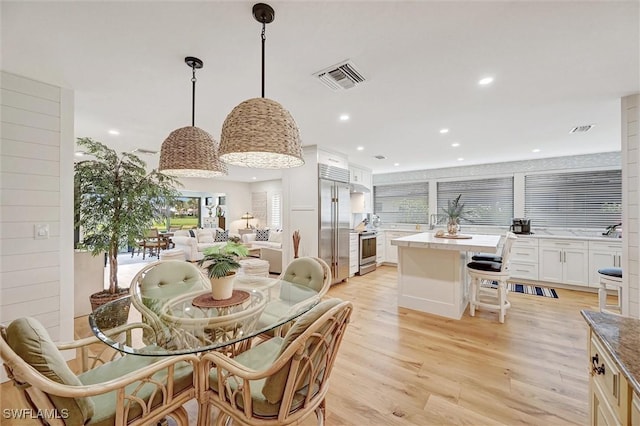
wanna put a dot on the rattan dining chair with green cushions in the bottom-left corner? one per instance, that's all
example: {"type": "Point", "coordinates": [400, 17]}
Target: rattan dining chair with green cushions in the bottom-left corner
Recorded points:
{"type": "Point", "coordinates": [110, 390]}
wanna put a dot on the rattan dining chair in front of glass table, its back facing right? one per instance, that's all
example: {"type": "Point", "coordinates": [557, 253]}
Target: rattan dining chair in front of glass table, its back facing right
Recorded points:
{"type": "Point", "coordinates": [280, 381]}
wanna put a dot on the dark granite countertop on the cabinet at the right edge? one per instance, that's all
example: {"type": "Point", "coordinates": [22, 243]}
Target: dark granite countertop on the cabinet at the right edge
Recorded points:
{"type": "Point", "coordinates": [621, 337]}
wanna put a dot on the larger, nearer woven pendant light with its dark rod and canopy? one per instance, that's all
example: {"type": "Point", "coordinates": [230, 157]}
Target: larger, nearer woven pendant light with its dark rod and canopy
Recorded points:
{"type": "Point", "coordinates": [260, 132]}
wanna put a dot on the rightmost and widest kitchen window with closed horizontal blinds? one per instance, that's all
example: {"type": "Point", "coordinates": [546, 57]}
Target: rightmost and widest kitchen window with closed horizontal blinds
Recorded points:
{"type": "Point", "coordinates": [574, 200]}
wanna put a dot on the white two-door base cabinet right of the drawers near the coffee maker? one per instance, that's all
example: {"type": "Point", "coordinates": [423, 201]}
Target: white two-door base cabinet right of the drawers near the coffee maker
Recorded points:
{"type": "Point", "coordinates": [564, 261]}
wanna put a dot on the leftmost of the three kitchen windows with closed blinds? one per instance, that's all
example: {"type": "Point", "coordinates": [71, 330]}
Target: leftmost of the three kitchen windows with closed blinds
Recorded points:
{"type": "Point", "coordinates": [405, 203]}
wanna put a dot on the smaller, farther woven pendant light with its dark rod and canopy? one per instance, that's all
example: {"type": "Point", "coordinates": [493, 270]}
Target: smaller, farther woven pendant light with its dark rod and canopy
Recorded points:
{"type": "Point", "coordinates": [190, 151]}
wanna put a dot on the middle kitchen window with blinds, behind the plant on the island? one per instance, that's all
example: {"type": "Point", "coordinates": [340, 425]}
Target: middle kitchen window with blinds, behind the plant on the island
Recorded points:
{"type": "Point", "coordinates": [489, 201]}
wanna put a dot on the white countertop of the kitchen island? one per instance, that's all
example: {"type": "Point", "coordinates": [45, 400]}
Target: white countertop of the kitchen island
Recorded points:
{"type": "Point", "coordinates": [484, 243]}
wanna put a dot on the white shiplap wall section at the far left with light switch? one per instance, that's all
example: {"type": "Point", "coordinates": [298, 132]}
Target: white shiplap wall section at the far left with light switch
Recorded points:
{"type": "Point", "coordinates": [36, 187]}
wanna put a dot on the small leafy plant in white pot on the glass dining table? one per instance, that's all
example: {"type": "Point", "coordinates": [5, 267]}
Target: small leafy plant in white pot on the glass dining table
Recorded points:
{"type": "Point", "coordinates": [221, 264]}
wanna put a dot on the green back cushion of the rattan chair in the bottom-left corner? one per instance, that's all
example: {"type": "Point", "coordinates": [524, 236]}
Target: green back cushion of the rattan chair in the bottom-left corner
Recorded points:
{"type": "Point", "coordinates": [31, 341]}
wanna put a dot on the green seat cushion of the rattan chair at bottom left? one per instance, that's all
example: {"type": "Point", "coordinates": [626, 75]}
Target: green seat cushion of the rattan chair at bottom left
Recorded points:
{"type": "Point", "coordinates": [105, 404]}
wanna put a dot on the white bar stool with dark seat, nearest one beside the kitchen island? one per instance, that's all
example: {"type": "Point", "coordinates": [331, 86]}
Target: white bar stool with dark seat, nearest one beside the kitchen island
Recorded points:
{"type": "Point", "coordinates": [491, 271]}
